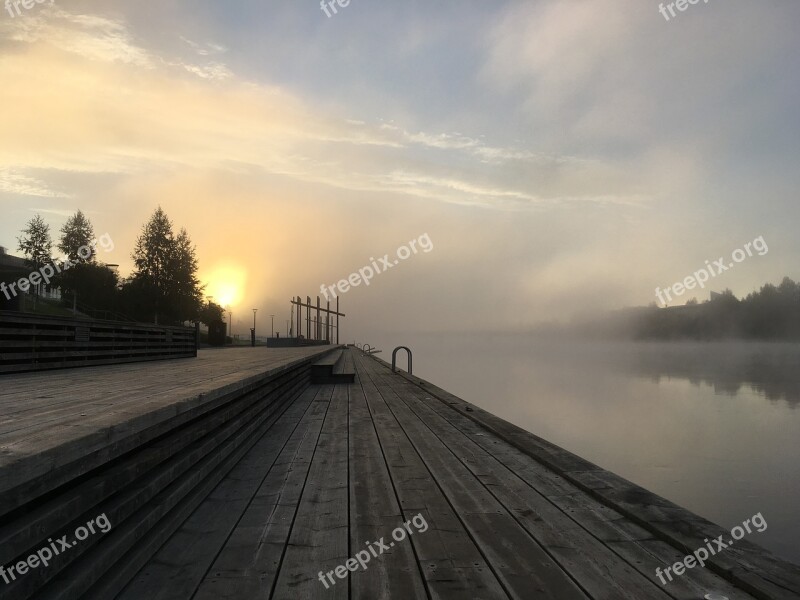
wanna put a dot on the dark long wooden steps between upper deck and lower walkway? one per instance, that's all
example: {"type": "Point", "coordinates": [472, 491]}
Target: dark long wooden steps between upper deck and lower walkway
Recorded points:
{"type": "Point", "coordinates": [146, 491]}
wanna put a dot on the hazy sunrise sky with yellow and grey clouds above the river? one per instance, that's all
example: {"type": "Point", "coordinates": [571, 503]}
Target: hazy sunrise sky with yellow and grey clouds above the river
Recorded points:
{"type": "Point", "coordinates": [560, 156]}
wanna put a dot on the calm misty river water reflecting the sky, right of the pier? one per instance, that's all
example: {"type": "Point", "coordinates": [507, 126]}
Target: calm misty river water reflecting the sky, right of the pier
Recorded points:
{"type": "Point", "coordinates": [713, 427]}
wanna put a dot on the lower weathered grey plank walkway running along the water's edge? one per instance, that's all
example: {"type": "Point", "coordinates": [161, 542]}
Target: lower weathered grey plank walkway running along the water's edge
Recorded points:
{"type": "Point", "coordinates": [347, 464]}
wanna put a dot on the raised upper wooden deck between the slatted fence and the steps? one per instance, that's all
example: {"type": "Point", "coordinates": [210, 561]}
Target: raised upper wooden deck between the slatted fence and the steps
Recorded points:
{"type": "Point", "coordinates": [50, 419]}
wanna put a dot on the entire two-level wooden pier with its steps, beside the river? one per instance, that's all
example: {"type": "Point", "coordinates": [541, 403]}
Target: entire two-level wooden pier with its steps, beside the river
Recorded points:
{"type": "Point", "coordinates": [233, 476]}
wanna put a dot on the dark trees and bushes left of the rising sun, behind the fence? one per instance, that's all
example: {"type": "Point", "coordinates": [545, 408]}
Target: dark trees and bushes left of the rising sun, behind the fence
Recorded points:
{"type": "Point", "coordinates": [163, 288]}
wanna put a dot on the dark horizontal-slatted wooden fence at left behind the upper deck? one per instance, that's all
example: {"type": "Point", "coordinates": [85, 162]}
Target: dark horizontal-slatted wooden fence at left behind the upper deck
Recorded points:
{"type": "Point", "coordinates": [35, 342]}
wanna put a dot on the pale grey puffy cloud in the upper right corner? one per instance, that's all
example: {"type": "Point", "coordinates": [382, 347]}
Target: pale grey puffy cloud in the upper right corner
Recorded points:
{"type": "Point", "coordinates": [615, 75]}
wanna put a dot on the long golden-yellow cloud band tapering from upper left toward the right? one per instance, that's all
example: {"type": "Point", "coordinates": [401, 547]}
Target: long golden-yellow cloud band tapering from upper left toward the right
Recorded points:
{"type": "Point", "coordinates": [126, 110]}
